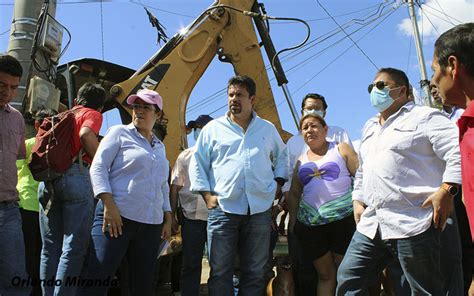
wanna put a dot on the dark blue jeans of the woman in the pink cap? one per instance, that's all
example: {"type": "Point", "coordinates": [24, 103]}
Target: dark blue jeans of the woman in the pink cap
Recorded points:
{"type": "Point", "coordinates": [140, 242]}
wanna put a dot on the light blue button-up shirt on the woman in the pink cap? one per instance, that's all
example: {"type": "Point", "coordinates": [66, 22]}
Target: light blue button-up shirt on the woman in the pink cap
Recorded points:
{"type": "Point", "coordinates": [135, 172]}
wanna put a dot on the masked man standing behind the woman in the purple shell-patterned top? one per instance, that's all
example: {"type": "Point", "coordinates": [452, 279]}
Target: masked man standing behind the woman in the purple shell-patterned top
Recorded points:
{"type": "Point", "coordinates": [304, 272]}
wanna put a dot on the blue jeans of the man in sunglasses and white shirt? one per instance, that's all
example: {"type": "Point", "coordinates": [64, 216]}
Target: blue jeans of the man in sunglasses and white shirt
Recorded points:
{"type": "Point", "coordinates": [366, 258]}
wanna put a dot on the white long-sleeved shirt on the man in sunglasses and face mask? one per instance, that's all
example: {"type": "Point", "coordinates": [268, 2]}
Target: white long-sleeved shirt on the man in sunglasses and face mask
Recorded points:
{"type": "Point", "coordinates": [402, 162]}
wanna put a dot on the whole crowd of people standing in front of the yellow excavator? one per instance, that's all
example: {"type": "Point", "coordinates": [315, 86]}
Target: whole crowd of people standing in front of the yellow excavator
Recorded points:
{"type": "Point", "coordinates": [397, 213]}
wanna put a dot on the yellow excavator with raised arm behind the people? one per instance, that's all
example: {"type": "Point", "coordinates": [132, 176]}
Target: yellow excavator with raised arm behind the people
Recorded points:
{"type": "Point", "coordinates": [227, 29]}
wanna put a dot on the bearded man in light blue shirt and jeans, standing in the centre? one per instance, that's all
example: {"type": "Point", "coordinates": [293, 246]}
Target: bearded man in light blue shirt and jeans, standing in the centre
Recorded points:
{"type": "Point", "coordinates": [239, 164]}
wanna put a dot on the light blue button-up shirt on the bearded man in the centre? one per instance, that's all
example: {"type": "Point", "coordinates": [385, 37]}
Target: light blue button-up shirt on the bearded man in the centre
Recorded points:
{"type": "Point", "coordinates": [239, 166]}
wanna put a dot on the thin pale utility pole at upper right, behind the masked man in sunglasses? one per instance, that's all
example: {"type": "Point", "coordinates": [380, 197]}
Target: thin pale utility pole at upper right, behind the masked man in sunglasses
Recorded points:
{"type": "Point", "coordinates": [424, 83]}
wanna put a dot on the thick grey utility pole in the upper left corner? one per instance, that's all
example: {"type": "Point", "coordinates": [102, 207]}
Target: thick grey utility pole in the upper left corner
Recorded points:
{"type": "Point", "coordinates": [22, 33]}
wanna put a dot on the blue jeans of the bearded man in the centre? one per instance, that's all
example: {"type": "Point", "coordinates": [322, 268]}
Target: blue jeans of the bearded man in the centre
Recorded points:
{"type": "Point", "coordinates": [245, 235]}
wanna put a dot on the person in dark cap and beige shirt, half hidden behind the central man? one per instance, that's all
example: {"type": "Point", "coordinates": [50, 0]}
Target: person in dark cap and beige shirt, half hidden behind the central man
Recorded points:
{"type": "Point", "coordinates": [194, 210]}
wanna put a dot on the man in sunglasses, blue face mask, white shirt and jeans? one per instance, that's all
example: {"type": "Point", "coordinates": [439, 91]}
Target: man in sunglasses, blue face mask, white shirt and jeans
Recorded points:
{"type": "Point", "coordinates": [409, 173]}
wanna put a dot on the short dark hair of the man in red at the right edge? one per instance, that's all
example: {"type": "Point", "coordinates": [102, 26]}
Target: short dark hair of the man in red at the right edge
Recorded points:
{"type": "Point", "coordinates": [458, 42]}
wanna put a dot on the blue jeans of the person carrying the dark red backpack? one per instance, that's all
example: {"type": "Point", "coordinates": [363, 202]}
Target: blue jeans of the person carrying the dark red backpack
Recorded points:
{"type": "Point", "coordinates": [65, 229]}
